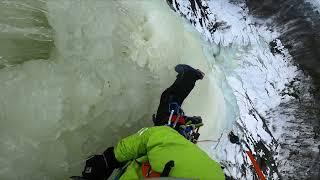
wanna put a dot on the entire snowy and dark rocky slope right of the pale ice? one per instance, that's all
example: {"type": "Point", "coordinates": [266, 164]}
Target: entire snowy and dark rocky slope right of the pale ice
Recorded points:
{"type": "Point", "coordinates": [279, 124]}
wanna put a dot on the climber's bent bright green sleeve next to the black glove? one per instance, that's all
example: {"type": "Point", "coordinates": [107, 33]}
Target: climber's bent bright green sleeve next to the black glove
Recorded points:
{"type": "Point", "coordinates": [132, 147]}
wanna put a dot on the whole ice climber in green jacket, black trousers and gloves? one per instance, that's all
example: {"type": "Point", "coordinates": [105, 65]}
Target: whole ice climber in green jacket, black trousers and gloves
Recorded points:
{"type": "Point", "coordinates": [166, 150]}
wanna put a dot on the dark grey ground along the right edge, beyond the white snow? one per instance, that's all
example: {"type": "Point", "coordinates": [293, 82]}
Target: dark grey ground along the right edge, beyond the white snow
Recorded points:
{"type": "Point", "coordinates": [299, 25]}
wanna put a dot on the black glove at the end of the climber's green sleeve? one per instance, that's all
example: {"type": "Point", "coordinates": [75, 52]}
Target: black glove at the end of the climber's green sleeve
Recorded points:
{"type": "Point", "coordinates": [100, 167]}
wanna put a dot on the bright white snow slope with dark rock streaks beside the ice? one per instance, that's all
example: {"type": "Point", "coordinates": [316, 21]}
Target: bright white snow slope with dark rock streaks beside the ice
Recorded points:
{"type": "Point", "coordinates": [256, 75]}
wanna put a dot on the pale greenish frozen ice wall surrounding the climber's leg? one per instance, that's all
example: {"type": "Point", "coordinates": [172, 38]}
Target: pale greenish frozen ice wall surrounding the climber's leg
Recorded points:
{"type": "Point", "coordinates": [103, 67]}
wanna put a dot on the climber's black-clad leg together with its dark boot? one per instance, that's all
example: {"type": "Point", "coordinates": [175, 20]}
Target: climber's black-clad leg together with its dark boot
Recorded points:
{"type": "Point", "coordinates": [177, 92]}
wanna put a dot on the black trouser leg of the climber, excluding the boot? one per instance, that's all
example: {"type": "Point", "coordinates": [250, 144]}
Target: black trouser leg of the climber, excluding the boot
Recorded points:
{"type": "Point", "coordinates": [176, 93]}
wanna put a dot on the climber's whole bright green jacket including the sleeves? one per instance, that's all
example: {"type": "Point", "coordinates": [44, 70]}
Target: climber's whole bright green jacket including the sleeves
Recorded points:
{"type": "Point", "coordinates": [159, 145]}
